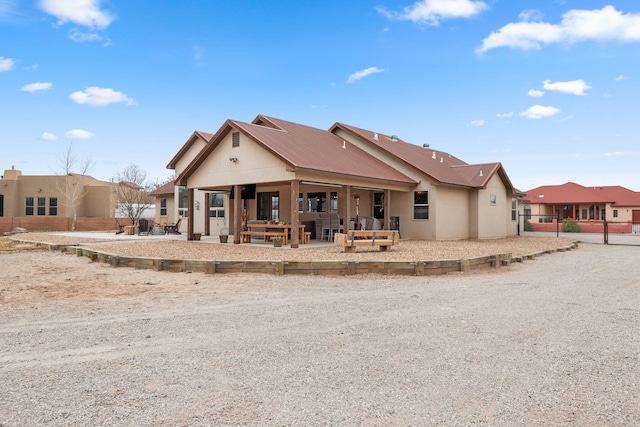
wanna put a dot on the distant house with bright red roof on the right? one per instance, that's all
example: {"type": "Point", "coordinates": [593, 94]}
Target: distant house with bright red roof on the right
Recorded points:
{"type": "Point", "coordinates": [584, 204]}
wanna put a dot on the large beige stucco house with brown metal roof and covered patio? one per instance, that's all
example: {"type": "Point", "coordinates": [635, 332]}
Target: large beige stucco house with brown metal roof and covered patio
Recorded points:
{"type": "Point", "coordinates": [278, 170]}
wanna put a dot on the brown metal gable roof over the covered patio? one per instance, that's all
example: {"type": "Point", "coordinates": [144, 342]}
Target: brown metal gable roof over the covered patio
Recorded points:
{"type": "Point", "coordinates": [303, 148]}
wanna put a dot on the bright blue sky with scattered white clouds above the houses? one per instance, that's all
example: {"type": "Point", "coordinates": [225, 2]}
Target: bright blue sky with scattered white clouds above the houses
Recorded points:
{"type": "Point", "coordinates": [549, 88]}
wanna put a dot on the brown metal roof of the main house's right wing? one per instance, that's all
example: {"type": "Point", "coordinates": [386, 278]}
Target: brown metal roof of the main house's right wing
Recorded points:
{"type": "Point", "coordinates": [439, 166]}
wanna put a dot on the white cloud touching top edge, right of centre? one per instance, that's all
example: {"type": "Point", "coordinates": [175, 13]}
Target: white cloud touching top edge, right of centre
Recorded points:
{"type": "Point", "coordinates": [431, 12]}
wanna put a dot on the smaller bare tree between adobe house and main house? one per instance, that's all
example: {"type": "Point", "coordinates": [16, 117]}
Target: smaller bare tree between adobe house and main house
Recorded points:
{"type": "Point", "coordinates": [133, 193]}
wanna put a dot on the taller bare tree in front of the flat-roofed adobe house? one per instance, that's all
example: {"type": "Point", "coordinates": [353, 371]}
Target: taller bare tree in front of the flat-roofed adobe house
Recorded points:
{"type": "Point", "coordinates": [72, 176]}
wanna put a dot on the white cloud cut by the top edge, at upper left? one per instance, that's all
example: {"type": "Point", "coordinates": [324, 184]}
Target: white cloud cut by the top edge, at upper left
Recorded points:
{"type": "Point", "coordinates": [86, 13]}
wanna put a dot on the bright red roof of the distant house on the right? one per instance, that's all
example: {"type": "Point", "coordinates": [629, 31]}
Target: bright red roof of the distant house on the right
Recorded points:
{"type": "Point", "coordinates": [570, 193]}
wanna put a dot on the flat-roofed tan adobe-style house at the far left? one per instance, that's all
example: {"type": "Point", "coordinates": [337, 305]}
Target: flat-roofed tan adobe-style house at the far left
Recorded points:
{"type": "Point", "coordinates": [39, 201]}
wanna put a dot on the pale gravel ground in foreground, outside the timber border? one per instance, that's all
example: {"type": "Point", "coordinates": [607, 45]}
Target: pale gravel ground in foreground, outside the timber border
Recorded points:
{"type": "Point", "coordinates": [552, 341]}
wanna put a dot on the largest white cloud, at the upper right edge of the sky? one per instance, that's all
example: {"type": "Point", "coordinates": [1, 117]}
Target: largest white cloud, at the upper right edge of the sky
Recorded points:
{"type": "Point", "coordinates": [576, 26]}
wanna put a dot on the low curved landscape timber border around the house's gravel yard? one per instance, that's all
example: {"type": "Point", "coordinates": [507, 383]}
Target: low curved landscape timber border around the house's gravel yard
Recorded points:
{"type": "Point", "coordinates": [326, 268]}
